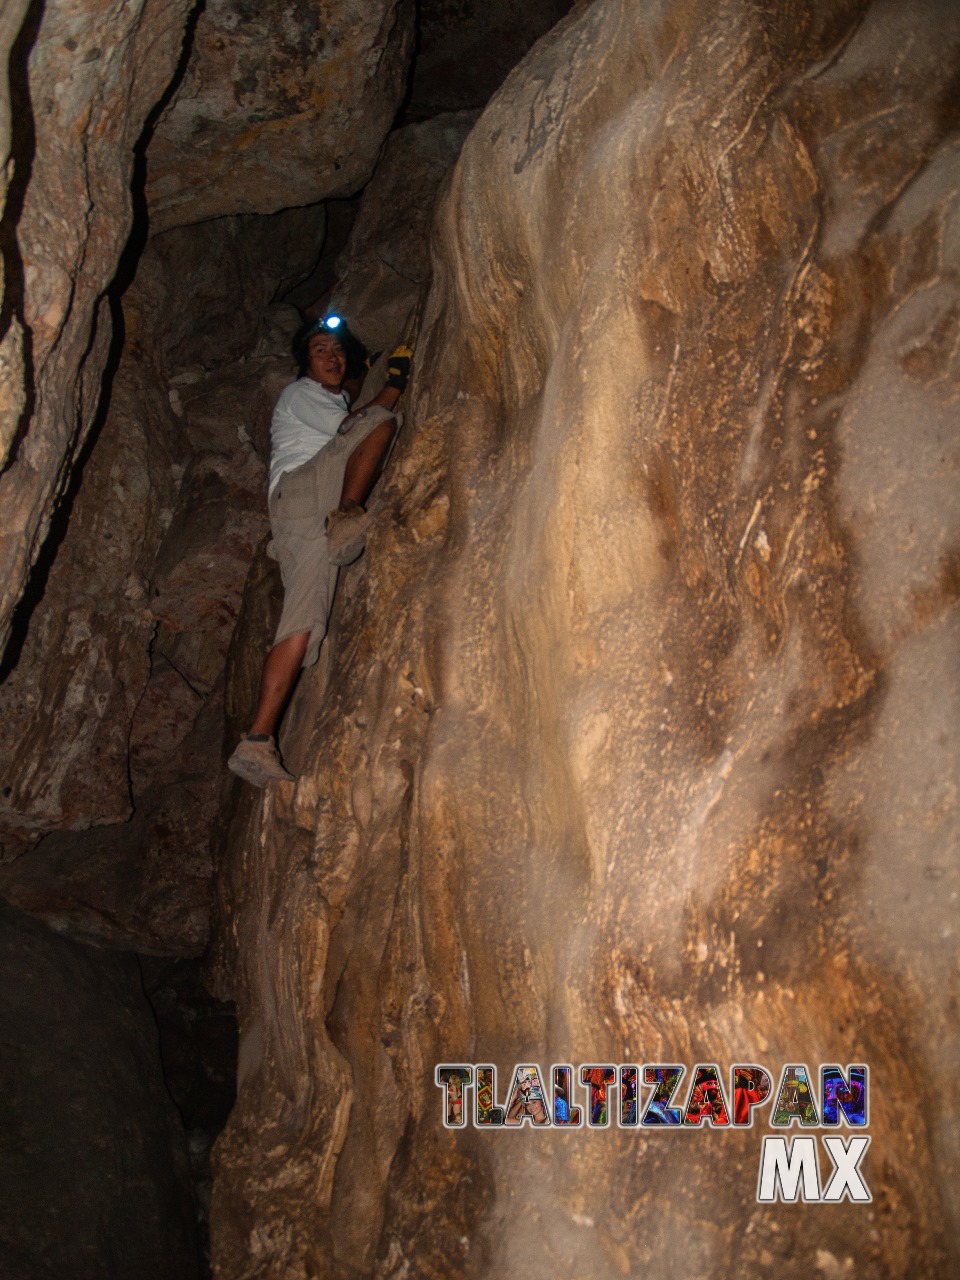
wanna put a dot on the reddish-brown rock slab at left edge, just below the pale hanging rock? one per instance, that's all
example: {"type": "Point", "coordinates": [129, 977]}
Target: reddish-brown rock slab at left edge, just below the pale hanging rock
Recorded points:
{"type": "Point", "coordinates": [84, 665]}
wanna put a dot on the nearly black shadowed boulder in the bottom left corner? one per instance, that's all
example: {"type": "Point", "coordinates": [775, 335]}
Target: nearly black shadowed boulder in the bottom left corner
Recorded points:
{"type": "Point", "coordinates": [94, 1176]}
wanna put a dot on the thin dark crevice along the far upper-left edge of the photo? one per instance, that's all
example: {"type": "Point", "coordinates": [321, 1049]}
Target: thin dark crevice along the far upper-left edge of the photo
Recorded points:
{"type": "Point", "coordinates": [24, 147]}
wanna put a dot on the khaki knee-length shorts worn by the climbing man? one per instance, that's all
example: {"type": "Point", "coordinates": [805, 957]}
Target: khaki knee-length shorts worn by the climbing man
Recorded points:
{"type": "Point", "coordinates": [299, 508]}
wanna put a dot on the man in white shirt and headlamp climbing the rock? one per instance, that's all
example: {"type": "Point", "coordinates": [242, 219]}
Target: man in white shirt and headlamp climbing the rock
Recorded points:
{"type": "Point", "coordinates": [324, 461]}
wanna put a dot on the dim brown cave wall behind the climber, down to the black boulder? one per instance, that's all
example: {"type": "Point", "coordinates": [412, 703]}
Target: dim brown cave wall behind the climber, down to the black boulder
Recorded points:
{"type": "Point", "coordinates": [112, 720]}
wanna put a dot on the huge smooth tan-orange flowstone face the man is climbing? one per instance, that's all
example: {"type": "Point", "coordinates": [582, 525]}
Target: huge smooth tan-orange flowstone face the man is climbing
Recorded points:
{"type": "Point", "coordinates": [641, 737]}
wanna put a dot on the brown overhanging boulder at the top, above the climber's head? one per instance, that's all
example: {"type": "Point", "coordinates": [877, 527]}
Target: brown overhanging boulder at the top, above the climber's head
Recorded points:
{"type": "Point", "coordinates": [282, 104]}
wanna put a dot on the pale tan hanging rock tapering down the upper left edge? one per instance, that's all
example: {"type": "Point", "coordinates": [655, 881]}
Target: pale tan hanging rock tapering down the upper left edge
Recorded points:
{"type": "Point", "coordinates": [81, 100]}
